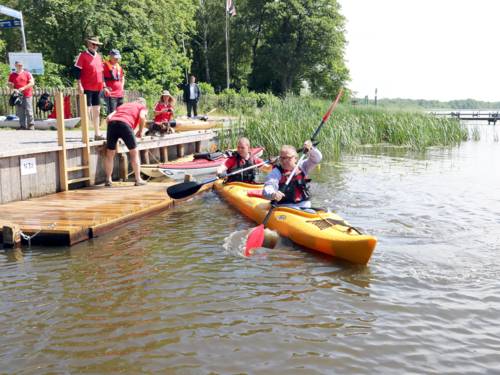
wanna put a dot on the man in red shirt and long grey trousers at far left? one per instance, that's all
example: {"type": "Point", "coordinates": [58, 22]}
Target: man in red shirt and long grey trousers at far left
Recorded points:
{"type": "Point", "coordinates": [21, 82]}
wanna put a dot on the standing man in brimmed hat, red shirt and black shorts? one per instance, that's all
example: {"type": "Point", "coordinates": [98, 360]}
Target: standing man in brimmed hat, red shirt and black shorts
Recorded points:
{"type": "Point", "coordinates": [89, 71]}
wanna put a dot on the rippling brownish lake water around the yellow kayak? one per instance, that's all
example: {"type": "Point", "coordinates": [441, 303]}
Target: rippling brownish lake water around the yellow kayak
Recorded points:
{"type": "Point", "coordinates": [171, 293]}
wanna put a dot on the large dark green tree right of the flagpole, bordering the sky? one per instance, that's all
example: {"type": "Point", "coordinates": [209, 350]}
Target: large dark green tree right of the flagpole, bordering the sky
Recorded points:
{"type": "Point", "coordinates": [302, 40]}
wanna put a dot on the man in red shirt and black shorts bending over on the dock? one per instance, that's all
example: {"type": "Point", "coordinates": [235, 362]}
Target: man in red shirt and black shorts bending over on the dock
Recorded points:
{"type": "Point", "coordinates": [121, 124]}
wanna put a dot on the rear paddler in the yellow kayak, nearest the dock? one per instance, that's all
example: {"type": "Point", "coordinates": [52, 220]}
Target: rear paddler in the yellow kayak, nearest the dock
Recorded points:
{"type": "Point", "coordinates": [242, 159]}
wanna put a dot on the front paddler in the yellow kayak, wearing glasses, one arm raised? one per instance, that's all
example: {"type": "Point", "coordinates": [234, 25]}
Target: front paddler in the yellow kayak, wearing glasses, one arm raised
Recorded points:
{"type": "Point", "coordinates": [296, 194]}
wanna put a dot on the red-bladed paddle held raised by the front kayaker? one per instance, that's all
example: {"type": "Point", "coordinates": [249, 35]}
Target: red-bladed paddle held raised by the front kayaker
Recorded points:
{"type": "Point", "coordinates": [256, 237]}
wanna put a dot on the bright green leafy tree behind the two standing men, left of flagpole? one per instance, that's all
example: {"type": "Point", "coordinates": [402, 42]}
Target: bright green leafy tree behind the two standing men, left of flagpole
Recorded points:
{"type": "Point", "coordinates": [146, 31]}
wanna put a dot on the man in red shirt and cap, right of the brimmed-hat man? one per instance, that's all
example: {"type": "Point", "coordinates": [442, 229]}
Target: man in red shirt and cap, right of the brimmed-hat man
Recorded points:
{"type": "Point", "coordinates": [114, 81]}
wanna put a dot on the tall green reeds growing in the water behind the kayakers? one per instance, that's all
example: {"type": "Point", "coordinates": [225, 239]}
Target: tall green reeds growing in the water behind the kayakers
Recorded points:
{"type": "Point", "coordinates": [293, 120]}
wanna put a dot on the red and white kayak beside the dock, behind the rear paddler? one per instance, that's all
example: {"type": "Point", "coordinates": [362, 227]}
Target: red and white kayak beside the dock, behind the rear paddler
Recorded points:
{"type": "Point", "coordinates": [202, 164]}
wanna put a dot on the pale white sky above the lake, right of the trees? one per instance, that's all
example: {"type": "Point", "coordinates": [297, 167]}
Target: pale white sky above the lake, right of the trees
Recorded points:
{"type": "Point", "coordinates": [424, 49]}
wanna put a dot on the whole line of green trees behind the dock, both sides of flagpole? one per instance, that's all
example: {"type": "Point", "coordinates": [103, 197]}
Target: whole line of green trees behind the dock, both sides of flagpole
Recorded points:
{"type": "Point", "coordinates": [277, 46]}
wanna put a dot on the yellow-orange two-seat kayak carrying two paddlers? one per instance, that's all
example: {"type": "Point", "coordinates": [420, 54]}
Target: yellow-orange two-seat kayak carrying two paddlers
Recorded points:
{"type": "Point", "coordinates": [322, 231]}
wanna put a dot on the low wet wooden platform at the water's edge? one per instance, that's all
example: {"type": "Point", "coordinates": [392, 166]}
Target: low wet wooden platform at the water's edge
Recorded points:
{"type": "Point", "coordinates": [73, 216]}
